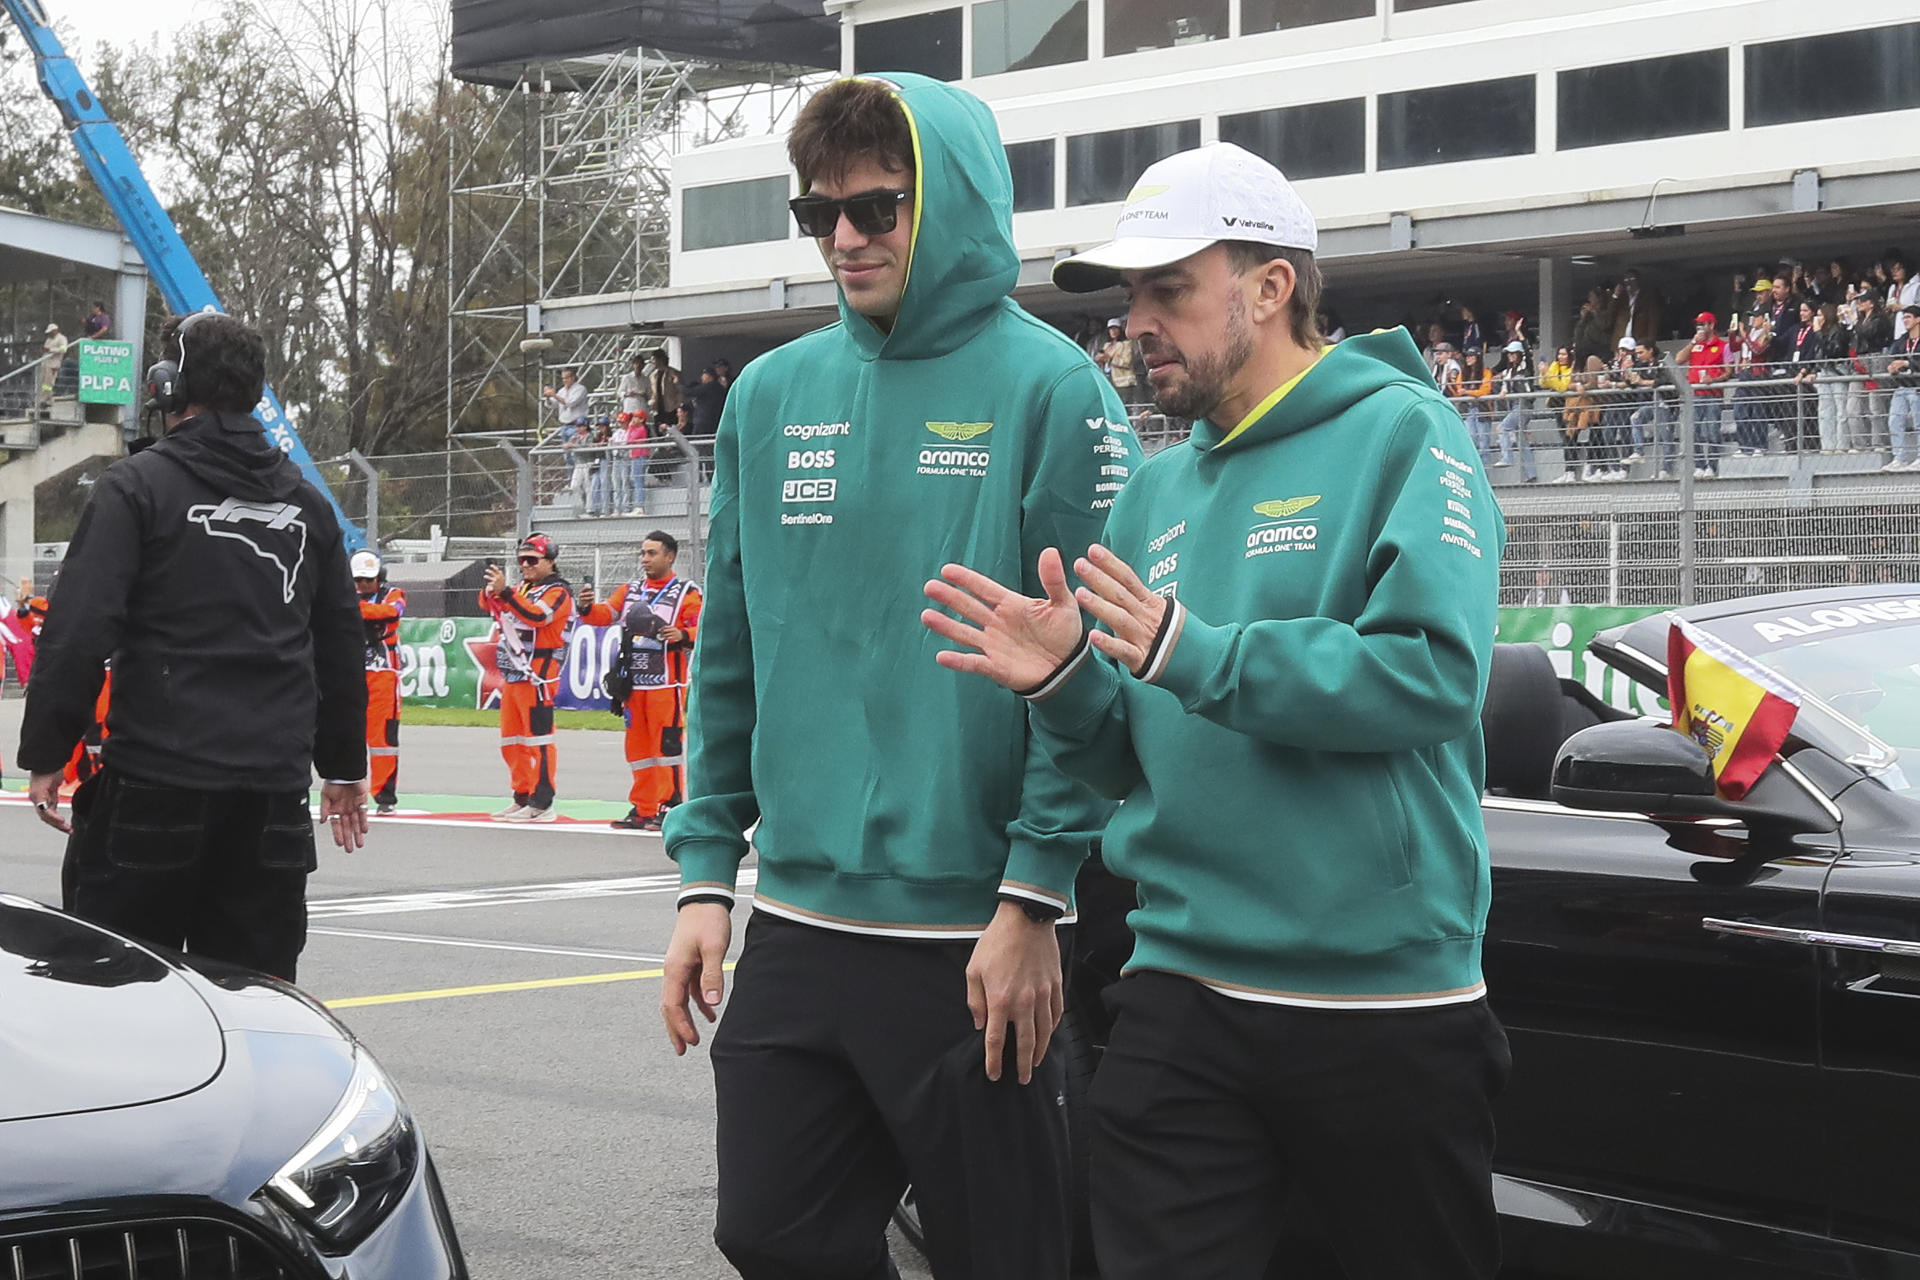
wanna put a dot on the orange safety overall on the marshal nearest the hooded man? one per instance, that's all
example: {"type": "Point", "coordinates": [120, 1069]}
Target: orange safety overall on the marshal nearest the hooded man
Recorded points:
{"type": "Point", "coordinates": [658, 709]}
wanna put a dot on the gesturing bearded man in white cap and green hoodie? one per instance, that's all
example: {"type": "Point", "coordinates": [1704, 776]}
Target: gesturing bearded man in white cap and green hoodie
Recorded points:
{"type": "Point", "coordinates": [1299, 611]}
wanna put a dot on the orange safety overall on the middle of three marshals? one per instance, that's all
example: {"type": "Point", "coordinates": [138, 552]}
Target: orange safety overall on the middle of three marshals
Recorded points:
{"type": "Point", "coordinates": [533, 650]}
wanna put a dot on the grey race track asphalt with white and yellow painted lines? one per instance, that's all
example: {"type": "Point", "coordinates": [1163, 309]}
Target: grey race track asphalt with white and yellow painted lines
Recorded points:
{"type": "Point", "coordinates": [573, 1143]}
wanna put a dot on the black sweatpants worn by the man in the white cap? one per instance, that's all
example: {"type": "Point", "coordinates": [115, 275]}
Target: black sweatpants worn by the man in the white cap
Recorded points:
{"type": "Point", "coordinates": [1211, 1114]}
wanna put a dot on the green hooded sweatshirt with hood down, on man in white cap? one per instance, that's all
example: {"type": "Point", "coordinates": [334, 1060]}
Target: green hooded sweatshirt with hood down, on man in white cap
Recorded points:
{"type": "Point", "coordinates": [1301, 761]}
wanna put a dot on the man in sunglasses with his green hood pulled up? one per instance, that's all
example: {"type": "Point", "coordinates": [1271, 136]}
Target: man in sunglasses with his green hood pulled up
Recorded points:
{"type": "Point", "coordinates": [901, 974]}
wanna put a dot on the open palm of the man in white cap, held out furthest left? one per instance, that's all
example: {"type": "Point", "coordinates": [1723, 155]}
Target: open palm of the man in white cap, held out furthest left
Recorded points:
{"type": "Point", "coordinates": [1005, 636]}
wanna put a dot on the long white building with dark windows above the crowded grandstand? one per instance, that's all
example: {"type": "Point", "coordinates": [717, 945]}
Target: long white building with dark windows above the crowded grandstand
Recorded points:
{"type": "Point", "coordinates": [1502, 153]}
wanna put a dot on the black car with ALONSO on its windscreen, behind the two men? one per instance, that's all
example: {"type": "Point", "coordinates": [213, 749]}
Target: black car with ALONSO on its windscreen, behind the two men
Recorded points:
{"type": "Point", "coordinates": [1714, 1005]}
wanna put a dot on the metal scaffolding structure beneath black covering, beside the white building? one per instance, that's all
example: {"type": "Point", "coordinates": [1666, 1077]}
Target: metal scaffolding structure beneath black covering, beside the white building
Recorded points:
{"type": "Point", "coordinates": [565, 191]}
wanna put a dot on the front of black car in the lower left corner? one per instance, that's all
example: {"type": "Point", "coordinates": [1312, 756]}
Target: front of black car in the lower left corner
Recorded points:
{"type": "Point", "coordinates": [180, 1120]}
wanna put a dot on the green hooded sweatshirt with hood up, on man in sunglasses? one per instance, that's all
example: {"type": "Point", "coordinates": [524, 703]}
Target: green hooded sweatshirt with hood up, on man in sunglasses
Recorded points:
{"type": "Point", "coordinates": [894, 795]}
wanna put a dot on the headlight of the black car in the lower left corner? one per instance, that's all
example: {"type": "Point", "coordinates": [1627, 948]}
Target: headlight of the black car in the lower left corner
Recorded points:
{"type": "Point", "coordinates": [350, 1173]}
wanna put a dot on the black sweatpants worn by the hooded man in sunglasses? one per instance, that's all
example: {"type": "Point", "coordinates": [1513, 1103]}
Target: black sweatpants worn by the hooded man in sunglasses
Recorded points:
{"type": "Point", "coordinates": [848, 1066]}
